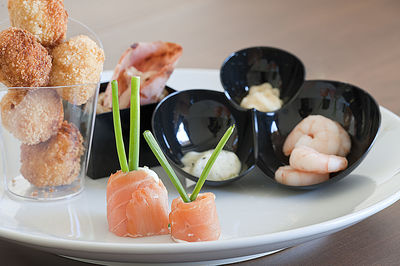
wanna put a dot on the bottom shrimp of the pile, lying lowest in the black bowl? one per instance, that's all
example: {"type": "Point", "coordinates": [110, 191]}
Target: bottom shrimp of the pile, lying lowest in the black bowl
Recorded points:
{"type": "Point", "coordinates": [287, 175]}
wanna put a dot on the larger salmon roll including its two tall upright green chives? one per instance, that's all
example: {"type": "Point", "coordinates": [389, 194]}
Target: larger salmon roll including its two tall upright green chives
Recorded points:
{"type": "Point", "coordinates": [137, 200]}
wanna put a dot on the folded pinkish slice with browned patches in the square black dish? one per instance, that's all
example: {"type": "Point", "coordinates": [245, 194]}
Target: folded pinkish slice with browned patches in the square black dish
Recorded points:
{"type": "Point", "coordinates": [154, 62]}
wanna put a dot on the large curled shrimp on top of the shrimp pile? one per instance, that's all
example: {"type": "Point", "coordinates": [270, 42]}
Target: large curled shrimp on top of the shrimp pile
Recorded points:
{"type": "Point", "coordinates": [317, 132]}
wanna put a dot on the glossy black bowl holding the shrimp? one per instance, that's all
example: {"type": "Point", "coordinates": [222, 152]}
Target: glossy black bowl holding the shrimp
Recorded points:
{"type": "Point", "coordinates": [347, 104]}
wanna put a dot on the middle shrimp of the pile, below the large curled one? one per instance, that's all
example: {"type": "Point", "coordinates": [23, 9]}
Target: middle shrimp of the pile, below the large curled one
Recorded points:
{"type": "Point", "coordinates": [304, 158]}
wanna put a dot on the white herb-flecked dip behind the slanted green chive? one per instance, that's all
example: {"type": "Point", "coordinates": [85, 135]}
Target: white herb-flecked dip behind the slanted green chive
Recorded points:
{"type": "Point", "coordinates": [226, 166]}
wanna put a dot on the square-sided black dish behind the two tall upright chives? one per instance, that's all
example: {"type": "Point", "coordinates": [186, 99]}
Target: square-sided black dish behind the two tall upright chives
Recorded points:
{"type": "Point", "coordinates": [103, 159]}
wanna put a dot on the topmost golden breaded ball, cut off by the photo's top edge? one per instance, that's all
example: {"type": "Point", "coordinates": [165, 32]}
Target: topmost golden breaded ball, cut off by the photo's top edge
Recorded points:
{"type": "Point", "coordinates": [45, 19]}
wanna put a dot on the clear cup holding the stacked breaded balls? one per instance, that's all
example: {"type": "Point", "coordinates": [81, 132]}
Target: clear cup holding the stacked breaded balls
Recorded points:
{"type": "Point", "coordinates": [46, 135]}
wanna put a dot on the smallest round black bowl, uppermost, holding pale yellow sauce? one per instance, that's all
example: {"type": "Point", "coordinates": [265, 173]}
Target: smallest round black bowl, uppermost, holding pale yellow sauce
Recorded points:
{"type": "Point", "coordinates": [257, 65]}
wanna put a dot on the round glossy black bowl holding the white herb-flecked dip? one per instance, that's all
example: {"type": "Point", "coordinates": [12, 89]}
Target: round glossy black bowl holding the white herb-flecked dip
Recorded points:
{"type": "Point", "coordinates": [195, 120]}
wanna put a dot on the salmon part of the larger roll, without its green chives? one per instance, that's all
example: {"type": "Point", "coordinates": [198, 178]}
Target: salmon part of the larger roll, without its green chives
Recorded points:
{"type": "Point", "coordinates": [137, 204]}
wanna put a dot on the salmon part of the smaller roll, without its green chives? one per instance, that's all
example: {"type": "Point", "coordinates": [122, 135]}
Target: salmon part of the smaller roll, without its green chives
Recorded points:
{"type": "Point", "coordinates": [195, 221]}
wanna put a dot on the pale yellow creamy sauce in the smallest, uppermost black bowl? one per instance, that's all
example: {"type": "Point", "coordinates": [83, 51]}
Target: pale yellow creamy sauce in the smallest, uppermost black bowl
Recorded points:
{"type": "Point", "coordinates": [262, 97]}
